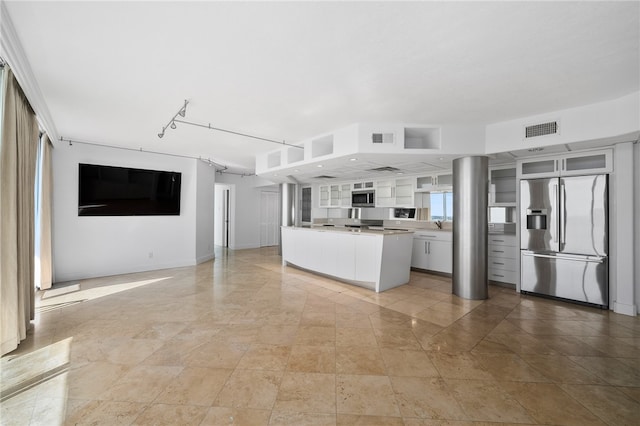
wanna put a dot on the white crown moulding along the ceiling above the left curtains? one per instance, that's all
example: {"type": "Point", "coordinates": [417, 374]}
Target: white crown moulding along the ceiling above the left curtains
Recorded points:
{"type": "Point", "coordinates": [12, 52]}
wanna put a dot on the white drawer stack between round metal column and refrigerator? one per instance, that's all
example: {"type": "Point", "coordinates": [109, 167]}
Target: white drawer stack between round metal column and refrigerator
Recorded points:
{"type": "Point", "coordinates": [503, 258]}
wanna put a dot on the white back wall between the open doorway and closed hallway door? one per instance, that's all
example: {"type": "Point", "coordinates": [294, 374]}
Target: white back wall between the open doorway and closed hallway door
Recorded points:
{"type": "Point", "coordinates": [245, 209]}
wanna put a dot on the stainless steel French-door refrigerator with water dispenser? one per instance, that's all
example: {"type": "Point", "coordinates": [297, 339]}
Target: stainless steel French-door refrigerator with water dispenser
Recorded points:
{"type": "Point", "coordinates": [564, 238]}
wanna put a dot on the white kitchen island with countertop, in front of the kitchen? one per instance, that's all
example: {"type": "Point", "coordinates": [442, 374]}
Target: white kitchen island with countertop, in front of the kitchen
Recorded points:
{"type": "Point", "coordinates": [374, 259]}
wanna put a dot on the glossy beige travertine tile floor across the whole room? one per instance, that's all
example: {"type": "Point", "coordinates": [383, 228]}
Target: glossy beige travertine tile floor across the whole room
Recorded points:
{"type": "Point", "coordinates": [243, 340]}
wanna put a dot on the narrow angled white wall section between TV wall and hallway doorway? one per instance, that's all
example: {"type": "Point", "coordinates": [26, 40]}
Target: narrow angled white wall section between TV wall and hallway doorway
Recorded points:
{"type": "Point", "coordinates": [205, 191]}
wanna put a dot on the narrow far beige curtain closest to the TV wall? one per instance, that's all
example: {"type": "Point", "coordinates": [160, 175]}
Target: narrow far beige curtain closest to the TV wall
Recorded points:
{"type": "Point", "coordinates": [45, 216]}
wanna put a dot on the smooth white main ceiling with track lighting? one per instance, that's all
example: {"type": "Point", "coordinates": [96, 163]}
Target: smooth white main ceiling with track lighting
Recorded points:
{"type": "Point", "coordinates": [116, 72]}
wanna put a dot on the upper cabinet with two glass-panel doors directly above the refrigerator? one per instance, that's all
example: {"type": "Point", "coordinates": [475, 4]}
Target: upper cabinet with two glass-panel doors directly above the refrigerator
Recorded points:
{"type": "Point", "coordinates": [570, 164]}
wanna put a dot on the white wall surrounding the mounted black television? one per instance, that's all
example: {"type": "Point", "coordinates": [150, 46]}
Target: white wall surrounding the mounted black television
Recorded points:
{"type": "Point", "coordinates": [107, 245]}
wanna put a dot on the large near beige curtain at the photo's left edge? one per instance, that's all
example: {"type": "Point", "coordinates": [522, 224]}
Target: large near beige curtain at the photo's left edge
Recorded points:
{"type": "Point", "coordinates": [18, 152]}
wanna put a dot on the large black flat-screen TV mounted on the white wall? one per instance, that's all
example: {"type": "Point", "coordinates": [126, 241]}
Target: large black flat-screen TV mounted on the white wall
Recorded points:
{"type": "Point", "coordinates": [121, 191]}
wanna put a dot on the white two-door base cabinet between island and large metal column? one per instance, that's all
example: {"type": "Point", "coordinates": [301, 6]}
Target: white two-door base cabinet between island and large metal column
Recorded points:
{"type": "Point", "coordinates": [432, 251]}
